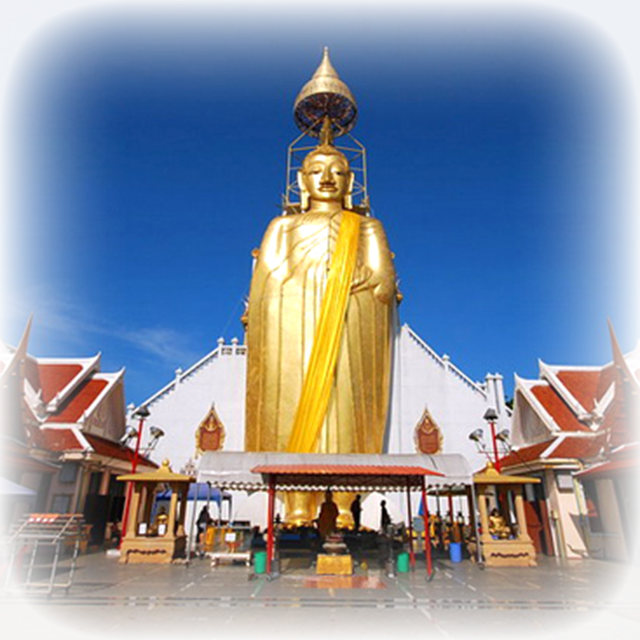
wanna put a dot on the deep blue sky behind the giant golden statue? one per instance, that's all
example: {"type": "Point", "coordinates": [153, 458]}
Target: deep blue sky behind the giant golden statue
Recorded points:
{"type": "Point", "coordinates": [149, 154]}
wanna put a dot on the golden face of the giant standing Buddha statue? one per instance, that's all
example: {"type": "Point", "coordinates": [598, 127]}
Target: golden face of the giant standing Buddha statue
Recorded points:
{"type": "Point", "coordinates": [326, 177]}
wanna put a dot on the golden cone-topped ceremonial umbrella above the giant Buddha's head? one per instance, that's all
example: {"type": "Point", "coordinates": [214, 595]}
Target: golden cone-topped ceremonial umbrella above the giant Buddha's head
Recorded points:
{"type": "Point", "coordinates": [325, 96]}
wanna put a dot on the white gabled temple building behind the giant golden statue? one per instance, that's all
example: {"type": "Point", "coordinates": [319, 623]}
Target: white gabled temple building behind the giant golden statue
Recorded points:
{"type": "Point", "coordinates": [434, 407]}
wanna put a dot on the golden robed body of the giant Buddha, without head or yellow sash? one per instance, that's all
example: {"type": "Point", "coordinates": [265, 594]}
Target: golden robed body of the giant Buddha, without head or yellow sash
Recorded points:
{"type": "Point", "coordinates": [288, 283]}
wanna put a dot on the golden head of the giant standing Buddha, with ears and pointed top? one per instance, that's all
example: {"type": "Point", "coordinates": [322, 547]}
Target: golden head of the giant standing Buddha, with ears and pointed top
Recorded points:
{"type": "Point", "coordinates": [325, 177]}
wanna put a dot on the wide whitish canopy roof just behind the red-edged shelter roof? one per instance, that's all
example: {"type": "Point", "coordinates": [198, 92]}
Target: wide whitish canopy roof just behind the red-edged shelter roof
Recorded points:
{"type": "Point", "coordinates": [232, 470]}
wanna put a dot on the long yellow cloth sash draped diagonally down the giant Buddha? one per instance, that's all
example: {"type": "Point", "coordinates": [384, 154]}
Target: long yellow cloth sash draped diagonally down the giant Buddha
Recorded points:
{"type": "Point", "coordinates": [316, 388]}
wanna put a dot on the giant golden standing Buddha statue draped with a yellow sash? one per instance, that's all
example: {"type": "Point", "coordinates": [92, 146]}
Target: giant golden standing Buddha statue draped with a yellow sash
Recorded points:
{"type": "Point", "coordinates": [320, 317]}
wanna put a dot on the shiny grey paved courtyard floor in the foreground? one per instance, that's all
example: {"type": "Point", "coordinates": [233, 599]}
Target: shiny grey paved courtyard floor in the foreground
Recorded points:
{"type": "Point", "coordinates": [581, 599]}
